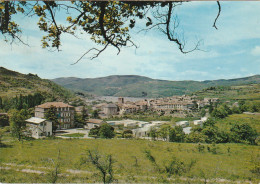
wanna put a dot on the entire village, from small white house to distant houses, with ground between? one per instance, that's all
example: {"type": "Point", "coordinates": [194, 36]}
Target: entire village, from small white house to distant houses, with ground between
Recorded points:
{"type": "Point", "coordinates": [176, 106]}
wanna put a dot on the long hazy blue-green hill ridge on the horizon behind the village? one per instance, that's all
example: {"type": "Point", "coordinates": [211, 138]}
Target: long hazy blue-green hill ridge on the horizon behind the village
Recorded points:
{"type": "Point", "coordinates": [139, 86]}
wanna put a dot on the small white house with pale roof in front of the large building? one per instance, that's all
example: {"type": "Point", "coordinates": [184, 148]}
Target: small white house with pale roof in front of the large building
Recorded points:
{"type": "Point", "coordinates": [39, 127]}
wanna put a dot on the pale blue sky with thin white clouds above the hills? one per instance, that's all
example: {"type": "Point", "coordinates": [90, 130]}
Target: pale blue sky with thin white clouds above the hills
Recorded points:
{"type": "Point", "coordinates": [232, 51]}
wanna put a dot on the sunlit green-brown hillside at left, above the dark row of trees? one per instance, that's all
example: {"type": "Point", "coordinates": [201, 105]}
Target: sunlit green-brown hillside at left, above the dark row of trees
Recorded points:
{"type": "Point", "coordinates": [13, 83]}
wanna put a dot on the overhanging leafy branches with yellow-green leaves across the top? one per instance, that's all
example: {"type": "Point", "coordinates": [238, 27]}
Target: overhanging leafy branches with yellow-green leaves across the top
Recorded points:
{"type": "Point", "coordinates": [108, 23]}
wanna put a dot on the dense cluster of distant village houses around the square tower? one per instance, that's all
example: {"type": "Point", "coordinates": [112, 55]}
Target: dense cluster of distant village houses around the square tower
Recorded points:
{"type": "Point", "coordinates": [175, 104]}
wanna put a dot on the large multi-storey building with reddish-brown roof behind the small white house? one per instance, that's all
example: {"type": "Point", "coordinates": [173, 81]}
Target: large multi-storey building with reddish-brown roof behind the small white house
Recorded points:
{"type": "Point", "coordinates": [65, 113]}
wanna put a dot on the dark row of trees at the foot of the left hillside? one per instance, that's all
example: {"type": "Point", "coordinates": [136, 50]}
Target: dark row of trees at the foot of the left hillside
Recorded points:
{"type": "Point", "coordinates": [21, 102]}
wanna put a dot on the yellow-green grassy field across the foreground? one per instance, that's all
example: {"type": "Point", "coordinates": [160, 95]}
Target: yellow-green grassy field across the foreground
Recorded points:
{"type": "Point", "coordinates": [232, 161]}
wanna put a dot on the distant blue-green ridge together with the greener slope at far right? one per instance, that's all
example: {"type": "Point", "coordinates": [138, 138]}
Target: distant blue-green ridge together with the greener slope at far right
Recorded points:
{"type": "Point", "coordinates": [137, 86]}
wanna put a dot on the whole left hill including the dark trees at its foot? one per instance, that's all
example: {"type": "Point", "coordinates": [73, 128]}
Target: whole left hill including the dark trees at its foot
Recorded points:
{"type": "Point", "coordinates": [33, 89]}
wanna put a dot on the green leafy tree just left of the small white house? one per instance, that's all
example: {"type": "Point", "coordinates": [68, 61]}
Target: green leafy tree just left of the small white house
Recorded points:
{"type": "Point", "coordinates": [17, 122]}
